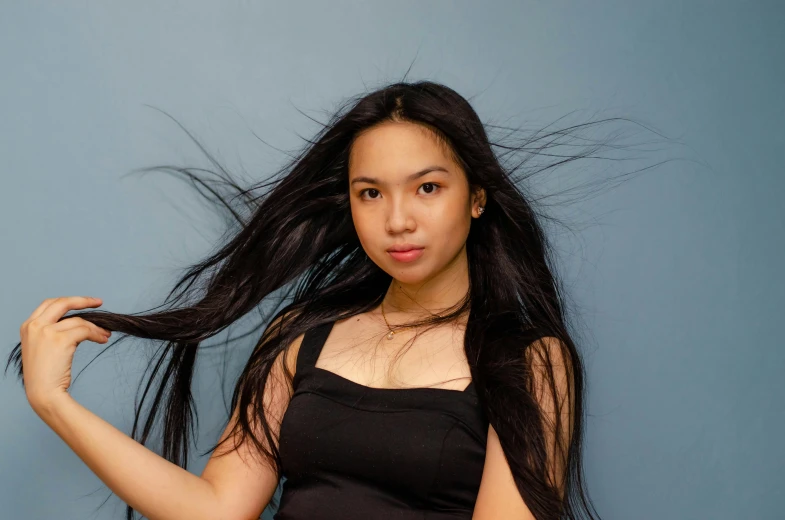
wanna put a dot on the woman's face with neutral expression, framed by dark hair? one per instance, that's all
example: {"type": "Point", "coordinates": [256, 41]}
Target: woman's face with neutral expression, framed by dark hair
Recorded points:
{"type": "Point", "coordinates": [406, 191]}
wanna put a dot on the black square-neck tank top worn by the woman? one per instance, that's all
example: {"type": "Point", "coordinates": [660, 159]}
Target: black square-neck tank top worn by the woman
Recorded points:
{"type": "Point", "coordinates": [354, 452]}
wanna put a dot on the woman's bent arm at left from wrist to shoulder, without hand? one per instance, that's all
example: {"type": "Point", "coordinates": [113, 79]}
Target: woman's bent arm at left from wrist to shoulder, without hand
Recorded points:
{"type": "Point", "coordinates": [233, 486]}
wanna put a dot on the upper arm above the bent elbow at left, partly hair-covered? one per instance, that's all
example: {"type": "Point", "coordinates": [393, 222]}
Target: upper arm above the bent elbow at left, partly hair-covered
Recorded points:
{"type": "Point", "coordinates": [242, 479]}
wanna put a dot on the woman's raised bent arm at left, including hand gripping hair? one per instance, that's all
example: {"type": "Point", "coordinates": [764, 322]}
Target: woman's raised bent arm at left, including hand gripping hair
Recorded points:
{"type": "Point", "coordinates": [234, 486]}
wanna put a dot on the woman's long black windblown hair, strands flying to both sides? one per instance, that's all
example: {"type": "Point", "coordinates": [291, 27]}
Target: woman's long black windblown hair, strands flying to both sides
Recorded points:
{"type": "Point", "coordinates": [292, 238]}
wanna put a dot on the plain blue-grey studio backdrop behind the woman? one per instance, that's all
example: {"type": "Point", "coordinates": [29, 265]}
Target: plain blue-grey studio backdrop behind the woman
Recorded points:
{"type": "Point", "coordinates": [677, 272]}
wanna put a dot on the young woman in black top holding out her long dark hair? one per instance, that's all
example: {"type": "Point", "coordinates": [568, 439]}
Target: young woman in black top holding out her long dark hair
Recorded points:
{"type": "Point", "coordinates": [420, 368]}
